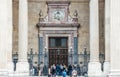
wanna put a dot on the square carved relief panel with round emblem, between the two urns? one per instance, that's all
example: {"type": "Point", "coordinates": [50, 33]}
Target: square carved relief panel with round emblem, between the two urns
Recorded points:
{"type": "Point", "coordinates": [58, 11]}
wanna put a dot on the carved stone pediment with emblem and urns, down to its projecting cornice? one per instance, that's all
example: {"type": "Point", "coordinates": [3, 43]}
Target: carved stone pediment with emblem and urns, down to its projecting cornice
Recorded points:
{"type": "Point", "coordinates": [58, 15]}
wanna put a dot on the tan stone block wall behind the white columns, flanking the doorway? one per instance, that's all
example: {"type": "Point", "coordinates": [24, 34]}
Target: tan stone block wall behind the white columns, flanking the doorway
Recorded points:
{"type": "Point", "coordinates": [82, 6]}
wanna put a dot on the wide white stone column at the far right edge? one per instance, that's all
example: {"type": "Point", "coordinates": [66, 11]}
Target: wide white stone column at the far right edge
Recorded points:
{"type": "Point", "coordinates": [114, 38]}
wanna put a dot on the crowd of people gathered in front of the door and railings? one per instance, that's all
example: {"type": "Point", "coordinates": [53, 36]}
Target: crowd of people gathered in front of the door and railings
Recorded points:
{"type": "Point", "coordinates": [58, 70]}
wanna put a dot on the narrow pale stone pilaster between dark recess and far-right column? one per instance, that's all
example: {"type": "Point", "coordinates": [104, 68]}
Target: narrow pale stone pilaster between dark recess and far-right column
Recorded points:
{"type": "Point", "coordinates": [107, 38]}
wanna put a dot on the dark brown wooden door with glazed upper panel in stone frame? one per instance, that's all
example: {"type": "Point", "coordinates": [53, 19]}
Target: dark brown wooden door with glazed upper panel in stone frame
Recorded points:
{"type": "Point", "coordinates": [58, 50]}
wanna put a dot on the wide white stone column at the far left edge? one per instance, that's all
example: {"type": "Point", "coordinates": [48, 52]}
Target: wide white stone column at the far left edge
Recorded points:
{"type": "Point", "coordinates": [6, 37]}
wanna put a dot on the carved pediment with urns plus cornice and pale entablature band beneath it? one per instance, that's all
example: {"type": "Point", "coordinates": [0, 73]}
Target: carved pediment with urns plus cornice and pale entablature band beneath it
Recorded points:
{"type": "Point", "coordinates": [66, 24]}
